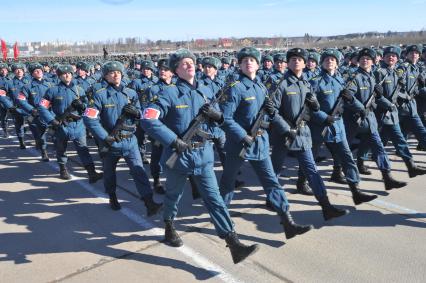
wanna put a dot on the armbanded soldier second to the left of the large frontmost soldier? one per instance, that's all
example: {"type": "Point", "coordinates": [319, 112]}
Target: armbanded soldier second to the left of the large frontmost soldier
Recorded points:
{"type": "Point", "coordinates": [61, 108]}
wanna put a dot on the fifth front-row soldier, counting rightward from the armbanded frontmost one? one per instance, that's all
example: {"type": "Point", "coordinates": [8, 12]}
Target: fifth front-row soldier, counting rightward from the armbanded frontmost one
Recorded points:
{"type": "Point", "coordinates": [361, 121]}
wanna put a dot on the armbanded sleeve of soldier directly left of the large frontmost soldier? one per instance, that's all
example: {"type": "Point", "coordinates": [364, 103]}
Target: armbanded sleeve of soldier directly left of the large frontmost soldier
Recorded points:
{"type": "Point", "coordinates": [91, 117]}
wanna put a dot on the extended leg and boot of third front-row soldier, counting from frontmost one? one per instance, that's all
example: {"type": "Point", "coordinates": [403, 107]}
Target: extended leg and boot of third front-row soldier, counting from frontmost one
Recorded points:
{"type": "Point", "coordinates": [307, 164]}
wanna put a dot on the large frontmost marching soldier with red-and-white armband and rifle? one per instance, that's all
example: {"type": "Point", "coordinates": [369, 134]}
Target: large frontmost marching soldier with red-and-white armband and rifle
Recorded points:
{"type": "Point", "coordinates": [167, 120]}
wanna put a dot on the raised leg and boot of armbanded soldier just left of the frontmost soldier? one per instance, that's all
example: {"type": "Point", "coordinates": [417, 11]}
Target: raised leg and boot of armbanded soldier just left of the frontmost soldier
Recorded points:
{"type": "Point", "coordinates": [134, 161]}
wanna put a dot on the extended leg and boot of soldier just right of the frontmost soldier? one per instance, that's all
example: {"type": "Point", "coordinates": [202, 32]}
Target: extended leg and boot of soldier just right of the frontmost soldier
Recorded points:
{"type": "Point", "coordinates": [276, 197]}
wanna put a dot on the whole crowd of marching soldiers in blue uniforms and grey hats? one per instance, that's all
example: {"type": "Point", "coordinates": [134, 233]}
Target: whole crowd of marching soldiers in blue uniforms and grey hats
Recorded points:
{"type": "Point", "coordinates": [247, 106]}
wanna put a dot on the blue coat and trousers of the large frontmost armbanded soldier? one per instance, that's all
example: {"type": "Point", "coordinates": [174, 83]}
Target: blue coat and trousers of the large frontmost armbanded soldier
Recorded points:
{"type": "Point", "coordinates": [165, 120]}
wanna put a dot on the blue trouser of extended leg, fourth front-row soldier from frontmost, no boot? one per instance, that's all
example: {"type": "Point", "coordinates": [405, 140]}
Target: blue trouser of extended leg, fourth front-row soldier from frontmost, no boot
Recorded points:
{"type": "Point", "coordinates": [342, 156]}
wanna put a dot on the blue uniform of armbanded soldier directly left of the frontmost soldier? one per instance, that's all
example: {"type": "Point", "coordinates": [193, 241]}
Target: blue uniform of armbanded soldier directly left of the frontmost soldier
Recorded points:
{"type": "Point", "coordinates": [100, 118]}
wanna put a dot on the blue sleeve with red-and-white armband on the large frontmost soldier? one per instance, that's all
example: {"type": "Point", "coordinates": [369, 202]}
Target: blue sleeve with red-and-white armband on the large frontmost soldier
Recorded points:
{"type": "Point", "coordinates": [152, 124]}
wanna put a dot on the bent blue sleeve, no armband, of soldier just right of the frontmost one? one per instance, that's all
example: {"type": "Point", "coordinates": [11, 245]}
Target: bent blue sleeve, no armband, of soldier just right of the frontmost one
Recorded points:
{"type": "Point", "coordinates": [228, 107]}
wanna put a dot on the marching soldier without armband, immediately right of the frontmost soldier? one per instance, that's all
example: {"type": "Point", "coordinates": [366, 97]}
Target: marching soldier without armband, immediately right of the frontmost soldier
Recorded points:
{"type": "Point", "coordinates": [243, 101]}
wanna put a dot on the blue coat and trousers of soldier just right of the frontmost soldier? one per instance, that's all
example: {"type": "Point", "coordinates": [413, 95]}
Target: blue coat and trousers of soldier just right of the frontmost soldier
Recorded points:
{"type": "Point", "coordinates": [240, 108]}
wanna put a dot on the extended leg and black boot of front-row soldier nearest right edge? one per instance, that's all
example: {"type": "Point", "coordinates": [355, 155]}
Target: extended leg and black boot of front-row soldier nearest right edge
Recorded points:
{"type": "Point", "coordinates": [402, 149]}
